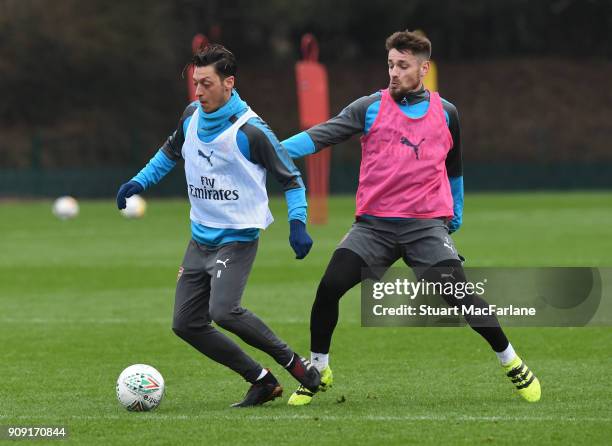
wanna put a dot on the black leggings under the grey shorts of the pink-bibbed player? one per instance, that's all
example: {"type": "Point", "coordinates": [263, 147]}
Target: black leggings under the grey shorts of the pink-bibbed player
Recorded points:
{"type": "Point", "coordinates": [344, 272]}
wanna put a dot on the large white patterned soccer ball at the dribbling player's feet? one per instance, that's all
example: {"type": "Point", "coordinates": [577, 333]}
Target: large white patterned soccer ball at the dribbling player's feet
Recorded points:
{"type": "Point", "coordinates": [140, 388]}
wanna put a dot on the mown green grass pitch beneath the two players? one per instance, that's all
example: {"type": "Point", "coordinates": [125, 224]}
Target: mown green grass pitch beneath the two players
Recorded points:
{"type": "Point", "coordinates": [80, 300]}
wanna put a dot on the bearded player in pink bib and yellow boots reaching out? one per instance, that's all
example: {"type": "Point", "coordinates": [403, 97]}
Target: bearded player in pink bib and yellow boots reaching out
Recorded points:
{"type": "Point", "coordinates": [409, 201]}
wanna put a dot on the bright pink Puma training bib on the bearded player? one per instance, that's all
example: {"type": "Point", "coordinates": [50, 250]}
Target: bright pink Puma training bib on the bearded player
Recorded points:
{"type": "Point", "coordinates": [403, 170]}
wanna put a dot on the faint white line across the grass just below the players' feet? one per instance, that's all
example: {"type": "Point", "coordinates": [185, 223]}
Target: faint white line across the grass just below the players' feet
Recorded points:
{"type": "Point", "coordinates": [314, 417]}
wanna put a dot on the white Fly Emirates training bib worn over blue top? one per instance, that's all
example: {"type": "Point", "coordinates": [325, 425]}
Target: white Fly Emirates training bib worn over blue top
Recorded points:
{"type": "Point", "coordinates": [225, 189]}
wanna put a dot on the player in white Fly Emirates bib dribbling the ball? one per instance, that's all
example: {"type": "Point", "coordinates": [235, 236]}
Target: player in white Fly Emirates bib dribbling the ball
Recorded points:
{"type": "Point", "coordinates": [228, 150]}
